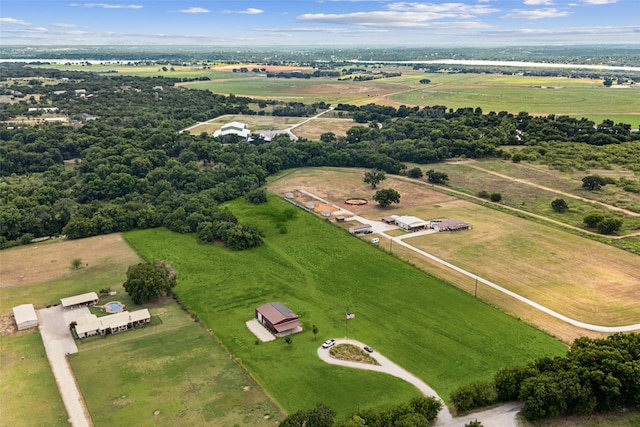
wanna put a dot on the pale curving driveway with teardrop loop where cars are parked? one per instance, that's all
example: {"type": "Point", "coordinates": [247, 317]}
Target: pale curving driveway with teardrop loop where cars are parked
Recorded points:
{"type": "Point", "coordinates": [500, 416]}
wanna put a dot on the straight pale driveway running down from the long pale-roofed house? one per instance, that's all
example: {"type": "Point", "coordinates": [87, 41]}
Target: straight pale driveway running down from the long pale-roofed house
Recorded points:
{"type": "Point", "coordinates": [58, 342]}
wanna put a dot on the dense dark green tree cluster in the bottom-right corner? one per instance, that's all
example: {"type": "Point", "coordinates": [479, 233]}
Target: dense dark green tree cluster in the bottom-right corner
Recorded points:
{"type": "Point", "coordinates": [597, 375]}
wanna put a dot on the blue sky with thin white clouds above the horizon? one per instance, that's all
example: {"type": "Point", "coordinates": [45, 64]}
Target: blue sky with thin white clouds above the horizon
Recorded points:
{"type": "Point", "coordinates": [319, 22]}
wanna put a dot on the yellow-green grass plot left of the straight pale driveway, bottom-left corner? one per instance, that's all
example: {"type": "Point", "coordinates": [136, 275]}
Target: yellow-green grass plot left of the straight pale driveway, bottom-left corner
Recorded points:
{"type": "Point", "coordinates": [29, 394]}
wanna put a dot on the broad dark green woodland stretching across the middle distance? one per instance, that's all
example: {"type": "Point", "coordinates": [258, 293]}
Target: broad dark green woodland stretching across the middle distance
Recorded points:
{"type": "Point", "coordinates": [131, 167]}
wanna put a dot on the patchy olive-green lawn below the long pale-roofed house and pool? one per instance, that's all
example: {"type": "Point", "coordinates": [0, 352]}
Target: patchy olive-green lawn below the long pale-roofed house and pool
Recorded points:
{"type": "Point", "coordinates": [175, 368]}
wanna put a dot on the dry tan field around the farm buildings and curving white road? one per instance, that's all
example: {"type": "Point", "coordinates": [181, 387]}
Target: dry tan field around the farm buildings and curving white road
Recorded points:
{"type": "Point", "coordinates": [575, 276]}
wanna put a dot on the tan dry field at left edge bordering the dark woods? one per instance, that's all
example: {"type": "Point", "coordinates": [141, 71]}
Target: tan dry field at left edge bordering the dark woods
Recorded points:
{"type": "Point", "coordinates": [40, 262]}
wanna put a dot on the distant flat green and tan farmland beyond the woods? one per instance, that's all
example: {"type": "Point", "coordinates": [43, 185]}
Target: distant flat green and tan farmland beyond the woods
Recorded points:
{"type": "Point", "coordinates": [491, 92]}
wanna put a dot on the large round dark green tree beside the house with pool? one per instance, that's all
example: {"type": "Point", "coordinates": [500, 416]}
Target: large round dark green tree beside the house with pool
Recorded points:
{"type": "Point", "coordinates": [149, 281]}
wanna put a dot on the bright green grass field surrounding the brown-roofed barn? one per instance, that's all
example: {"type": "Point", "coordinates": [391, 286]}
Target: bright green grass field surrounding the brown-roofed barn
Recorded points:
{"type": "Point", "coordinates": [434, 330]}
